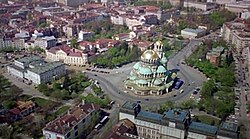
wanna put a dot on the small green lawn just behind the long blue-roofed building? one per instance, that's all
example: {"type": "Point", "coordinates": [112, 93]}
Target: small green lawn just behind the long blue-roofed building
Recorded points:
{"type": "Point", "coordinates": [207, 119]}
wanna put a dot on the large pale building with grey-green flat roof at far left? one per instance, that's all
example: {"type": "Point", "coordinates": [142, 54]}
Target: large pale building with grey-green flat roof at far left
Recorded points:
{"type": "Point", "coordinates": [35, 70]}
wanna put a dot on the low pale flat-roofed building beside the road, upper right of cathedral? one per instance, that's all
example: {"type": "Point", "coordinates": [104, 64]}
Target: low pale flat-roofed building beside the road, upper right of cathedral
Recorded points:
{"type": "Point", "coordinates": [189, 33]}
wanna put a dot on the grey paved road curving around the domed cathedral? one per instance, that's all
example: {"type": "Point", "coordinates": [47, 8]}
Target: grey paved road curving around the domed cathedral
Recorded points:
{"type": "Point", "coordinates": [112, 83]}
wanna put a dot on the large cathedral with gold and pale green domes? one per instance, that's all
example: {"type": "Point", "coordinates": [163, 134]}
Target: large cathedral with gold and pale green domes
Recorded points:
{"type": "Point", "coordinates": [150, 76]}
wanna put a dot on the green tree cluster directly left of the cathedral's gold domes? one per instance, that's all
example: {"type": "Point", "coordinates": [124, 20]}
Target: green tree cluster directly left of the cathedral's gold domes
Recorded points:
{"type": "Point", "coordinates": [117, 56]}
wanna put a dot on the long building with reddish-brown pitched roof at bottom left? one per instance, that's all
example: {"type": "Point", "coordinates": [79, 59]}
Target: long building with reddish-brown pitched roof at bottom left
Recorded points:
{"type": "Point", "coordinates": [73, 124]}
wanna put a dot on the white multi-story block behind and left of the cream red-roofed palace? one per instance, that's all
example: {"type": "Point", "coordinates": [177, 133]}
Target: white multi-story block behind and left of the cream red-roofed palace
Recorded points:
{"type": "Point", "coordinates": [45, 42]}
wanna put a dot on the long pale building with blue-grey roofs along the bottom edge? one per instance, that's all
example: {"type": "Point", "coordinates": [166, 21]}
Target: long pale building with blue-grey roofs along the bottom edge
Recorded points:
{"type": "Point", "coordinates": [172, 124]}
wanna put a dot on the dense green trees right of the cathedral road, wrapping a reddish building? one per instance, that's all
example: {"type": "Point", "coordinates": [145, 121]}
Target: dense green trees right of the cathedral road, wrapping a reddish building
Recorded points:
{"type": "Point", "coordinates": [217, 96]}
